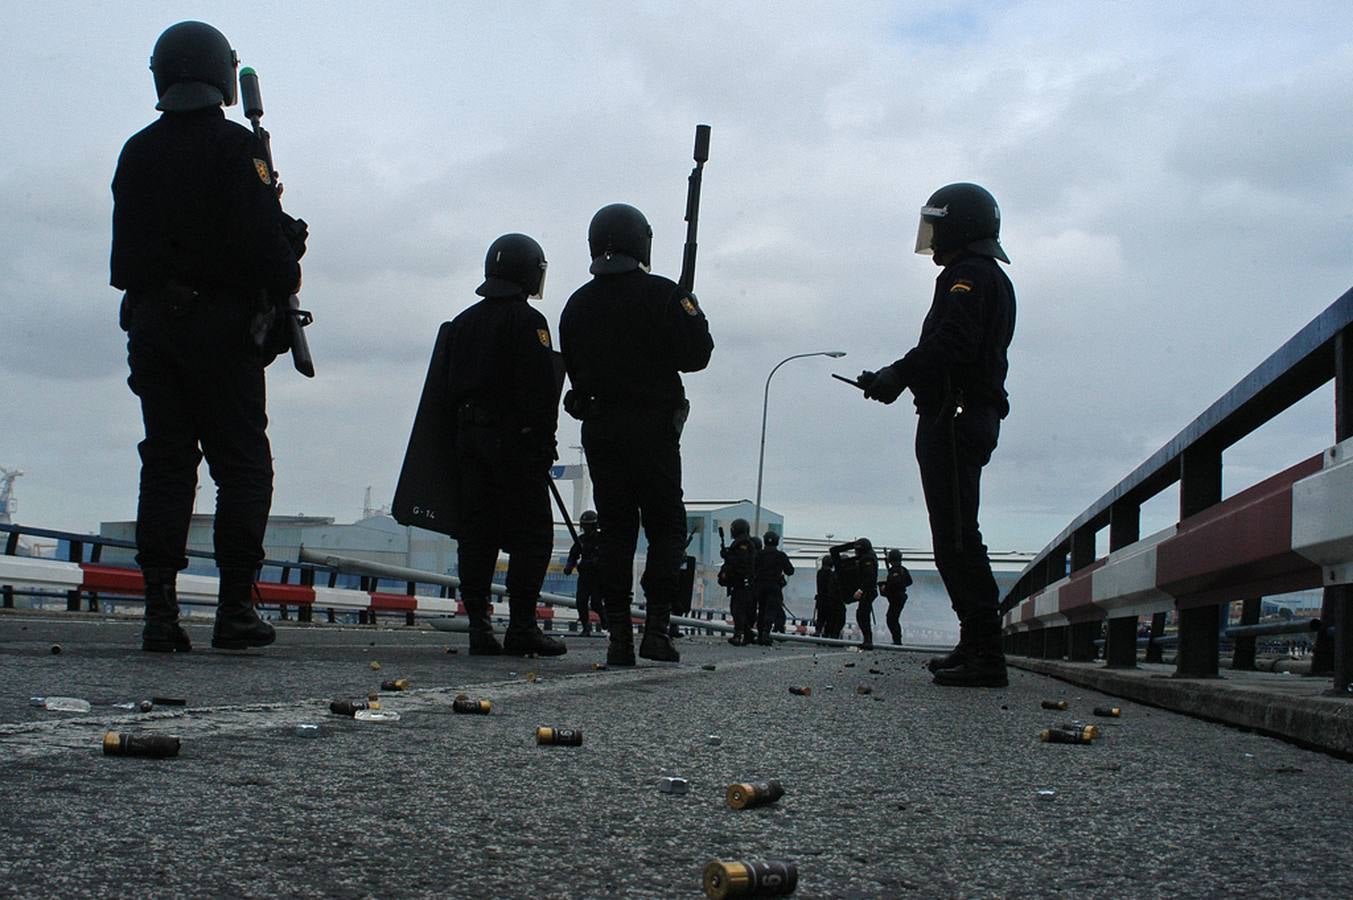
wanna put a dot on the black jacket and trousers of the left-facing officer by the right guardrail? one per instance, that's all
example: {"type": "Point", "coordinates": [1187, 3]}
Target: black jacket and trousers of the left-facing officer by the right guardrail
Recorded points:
{"type": "Point", "coordinates": [961, 363]}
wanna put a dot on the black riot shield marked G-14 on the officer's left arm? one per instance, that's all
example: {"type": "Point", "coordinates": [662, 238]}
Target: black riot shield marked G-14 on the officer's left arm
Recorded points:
{"type": "Point", "coordinates": [427, 492]}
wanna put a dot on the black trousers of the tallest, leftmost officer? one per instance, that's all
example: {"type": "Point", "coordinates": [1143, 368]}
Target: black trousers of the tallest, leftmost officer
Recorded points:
{"type": "Point", "coordinates": [202, 395]}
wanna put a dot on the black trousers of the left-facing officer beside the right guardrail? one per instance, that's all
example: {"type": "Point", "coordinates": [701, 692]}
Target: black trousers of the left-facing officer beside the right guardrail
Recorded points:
{"type": "Point", "coordinates": [952, 454]}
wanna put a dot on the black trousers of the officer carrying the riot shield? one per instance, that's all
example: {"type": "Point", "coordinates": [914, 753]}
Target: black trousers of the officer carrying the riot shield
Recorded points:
{"type": "Point", "coordinates": [504, 504]}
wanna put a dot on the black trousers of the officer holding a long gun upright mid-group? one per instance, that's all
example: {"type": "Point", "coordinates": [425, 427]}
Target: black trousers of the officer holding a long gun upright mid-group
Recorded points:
{"type": "Point", "coordinates": [634, 458]}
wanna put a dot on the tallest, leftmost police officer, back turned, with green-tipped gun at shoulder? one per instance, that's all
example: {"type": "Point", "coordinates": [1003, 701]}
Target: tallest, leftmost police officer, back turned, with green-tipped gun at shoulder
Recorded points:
{"type": "Point", "coordinates": [198, 246]}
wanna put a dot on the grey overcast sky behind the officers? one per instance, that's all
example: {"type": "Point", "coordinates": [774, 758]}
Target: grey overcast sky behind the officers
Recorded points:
{"type": "Point", "coordinates": [1176, 182]}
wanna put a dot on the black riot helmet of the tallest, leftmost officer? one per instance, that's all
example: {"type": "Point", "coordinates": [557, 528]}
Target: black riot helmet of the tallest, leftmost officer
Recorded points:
{"type": "Point", "coordinates": [194, 68]}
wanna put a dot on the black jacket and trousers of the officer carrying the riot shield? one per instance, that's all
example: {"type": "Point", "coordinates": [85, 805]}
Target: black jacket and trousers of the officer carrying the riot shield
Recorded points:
{"type": "Point", "coordinates": [505, 392]}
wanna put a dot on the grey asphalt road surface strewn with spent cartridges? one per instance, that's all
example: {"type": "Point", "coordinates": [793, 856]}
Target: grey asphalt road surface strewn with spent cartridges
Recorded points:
{"type": "Point", "coordinates": [909, 790]}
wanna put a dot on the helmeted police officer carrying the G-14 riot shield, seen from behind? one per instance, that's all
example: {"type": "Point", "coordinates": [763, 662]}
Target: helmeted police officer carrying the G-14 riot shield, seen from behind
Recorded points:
{"type": "Point", "coordinates": [504, 386]}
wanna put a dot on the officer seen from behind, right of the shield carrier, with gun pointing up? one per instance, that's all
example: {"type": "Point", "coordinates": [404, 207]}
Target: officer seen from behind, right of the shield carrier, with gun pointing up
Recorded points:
{"type": "Point", "coordinates": [627, 336]}
